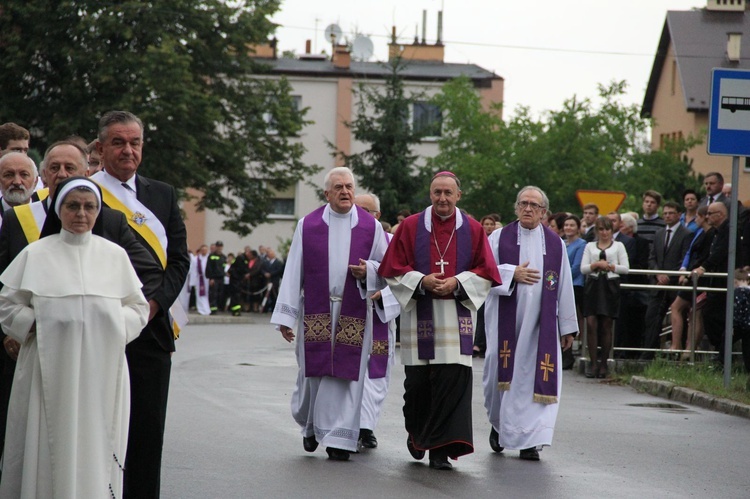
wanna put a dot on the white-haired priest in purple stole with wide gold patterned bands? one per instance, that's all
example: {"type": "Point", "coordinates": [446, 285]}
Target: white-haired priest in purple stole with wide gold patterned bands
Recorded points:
{"type": "Point", "coordinates": [324, 294]}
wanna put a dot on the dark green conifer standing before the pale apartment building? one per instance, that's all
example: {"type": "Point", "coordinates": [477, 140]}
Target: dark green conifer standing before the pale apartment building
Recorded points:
{"type": "Point", "coordinates": [388, 166]}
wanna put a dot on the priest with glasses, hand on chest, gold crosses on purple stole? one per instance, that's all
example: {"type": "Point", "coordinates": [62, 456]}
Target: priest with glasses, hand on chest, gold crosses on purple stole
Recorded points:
{"type": "Point", "coordinates": [528, 319]}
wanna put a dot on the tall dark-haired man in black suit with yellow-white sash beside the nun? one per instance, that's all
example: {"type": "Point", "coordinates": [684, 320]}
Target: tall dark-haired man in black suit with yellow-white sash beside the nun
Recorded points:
{"type": "Point", "coordinates": [154, 215]}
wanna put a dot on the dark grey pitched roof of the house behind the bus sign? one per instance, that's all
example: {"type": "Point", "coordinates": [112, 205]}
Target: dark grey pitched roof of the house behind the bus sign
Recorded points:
{"type": "Point", "coordinates": [699, 38]}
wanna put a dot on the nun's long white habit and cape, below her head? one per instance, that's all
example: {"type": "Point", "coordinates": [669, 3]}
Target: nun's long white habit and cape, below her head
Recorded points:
{"type": "Point", "coordinates": [70, 404]}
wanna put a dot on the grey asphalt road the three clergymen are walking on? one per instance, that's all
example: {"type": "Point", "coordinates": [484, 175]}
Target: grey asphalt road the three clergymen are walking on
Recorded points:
{"type": "Point", "coordinates": [230, 434]}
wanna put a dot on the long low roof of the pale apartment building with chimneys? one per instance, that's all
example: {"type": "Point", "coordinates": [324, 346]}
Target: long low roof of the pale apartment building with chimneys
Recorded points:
{"type": "Point", "coordinates": [413, 70]}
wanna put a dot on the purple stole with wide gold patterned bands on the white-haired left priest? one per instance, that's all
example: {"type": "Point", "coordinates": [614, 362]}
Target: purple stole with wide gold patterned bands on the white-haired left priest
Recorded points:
{"type": "Point", "coordinates": [342, 359]}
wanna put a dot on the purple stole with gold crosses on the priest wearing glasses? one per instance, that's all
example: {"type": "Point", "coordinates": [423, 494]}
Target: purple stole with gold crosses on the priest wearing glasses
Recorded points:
{"type": "Point", "coordinates": [545, 380]}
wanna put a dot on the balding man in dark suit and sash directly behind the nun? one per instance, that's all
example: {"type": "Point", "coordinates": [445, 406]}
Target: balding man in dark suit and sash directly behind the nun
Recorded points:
{"type": "Point", "coordinates": [62, 160]}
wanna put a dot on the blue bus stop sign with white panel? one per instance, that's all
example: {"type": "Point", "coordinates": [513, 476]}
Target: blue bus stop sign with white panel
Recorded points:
{"type": "Point", "coordinates": [729, 113]}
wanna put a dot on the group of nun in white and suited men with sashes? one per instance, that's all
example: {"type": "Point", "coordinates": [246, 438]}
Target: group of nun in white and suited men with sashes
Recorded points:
{"type": "Point", "coordinates": [93, 256]}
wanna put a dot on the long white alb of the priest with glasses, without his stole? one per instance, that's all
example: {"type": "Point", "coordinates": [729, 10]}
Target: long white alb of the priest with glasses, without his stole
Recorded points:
{"type": "Point", "coordinates": [520, 422]}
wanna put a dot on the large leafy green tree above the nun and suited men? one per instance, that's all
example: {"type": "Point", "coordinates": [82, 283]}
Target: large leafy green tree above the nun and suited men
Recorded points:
{"type": "Point", "coordinates": [184, 68]}
